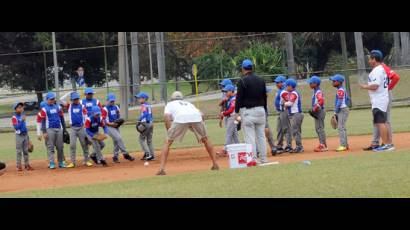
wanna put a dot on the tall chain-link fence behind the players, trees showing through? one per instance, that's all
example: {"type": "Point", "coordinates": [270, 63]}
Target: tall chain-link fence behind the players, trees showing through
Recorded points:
{"type": "Point", "coordinates": [27, 67]}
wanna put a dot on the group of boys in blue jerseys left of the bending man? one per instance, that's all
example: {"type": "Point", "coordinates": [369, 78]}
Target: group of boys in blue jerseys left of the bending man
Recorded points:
{"type": "Point", "coordinates": [86, 117]}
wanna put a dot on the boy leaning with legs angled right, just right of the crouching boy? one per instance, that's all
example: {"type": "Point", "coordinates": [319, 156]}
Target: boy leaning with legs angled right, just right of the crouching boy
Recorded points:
{"type": "Point", "coordinates": [110, 114]}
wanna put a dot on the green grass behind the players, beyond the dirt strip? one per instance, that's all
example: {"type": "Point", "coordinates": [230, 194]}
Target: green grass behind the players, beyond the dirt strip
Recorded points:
{"type": "Point", "coordinates": [359, 123]}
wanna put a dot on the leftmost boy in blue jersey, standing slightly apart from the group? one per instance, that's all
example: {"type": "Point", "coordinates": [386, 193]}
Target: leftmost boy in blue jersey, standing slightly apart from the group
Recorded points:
{"type": "Point", "coordinates": [22, 139]}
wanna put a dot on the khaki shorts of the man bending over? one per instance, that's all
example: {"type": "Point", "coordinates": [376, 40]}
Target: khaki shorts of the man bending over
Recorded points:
{"type": "Point", "coordinates": [178, 130]}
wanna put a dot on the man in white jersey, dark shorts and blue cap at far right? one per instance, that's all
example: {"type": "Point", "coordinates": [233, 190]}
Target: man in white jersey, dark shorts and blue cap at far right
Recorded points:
{"type": "Point", "coordinates": [379, 97]}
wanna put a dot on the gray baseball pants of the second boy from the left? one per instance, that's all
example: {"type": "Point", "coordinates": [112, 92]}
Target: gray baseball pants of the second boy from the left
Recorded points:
{"type": "Point", "coordinates": [55, 139]}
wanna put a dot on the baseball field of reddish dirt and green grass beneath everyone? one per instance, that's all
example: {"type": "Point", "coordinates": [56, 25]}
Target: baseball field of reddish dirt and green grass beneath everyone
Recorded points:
{"type": "Point", "coordinates": [330, 174]}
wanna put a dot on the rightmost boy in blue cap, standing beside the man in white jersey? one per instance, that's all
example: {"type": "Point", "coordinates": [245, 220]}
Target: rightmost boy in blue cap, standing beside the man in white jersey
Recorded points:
{"type": "Point", "coordinates": [341, 110]}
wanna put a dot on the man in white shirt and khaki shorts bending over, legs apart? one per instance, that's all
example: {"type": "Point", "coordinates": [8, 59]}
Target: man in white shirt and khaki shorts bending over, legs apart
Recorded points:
{"type": "Point", "coordinates": [179, 116]}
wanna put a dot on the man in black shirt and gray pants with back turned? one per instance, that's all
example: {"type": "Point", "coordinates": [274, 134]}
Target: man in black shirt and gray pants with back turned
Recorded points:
{"type": "Point", "coordinates": [251, 104]}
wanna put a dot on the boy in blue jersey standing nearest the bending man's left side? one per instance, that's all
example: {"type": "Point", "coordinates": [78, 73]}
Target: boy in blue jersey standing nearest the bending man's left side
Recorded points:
{"type": "Point", "coordinates": [147, 118]}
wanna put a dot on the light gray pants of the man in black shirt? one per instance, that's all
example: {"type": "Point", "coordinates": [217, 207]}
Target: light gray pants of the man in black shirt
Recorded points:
{"type": "Point", "coordinates": [254, 121]}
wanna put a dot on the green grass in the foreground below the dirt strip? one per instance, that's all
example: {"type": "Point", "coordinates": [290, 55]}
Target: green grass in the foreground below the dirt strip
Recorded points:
{"type": "Point", "coordinates": [371, 175]}
